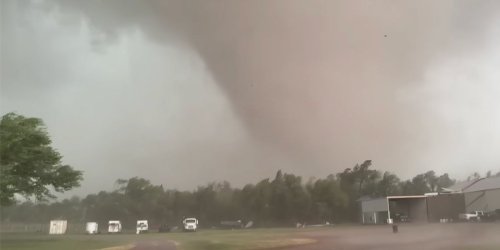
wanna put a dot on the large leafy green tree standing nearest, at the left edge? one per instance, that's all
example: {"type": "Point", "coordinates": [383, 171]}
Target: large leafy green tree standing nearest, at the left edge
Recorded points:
{"type": "Point", "coordinates": [29, 166]}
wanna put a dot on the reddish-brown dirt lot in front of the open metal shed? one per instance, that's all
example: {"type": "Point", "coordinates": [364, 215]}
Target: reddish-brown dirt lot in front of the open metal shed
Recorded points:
{"type": "Point", "coordinates": [410, 237]}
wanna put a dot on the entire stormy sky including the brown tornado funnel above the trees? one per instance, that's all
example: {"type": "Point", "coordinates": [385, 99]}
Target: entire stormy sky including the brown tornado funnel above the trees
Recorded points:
{"type": "Point", "coordinates": [188, 92]}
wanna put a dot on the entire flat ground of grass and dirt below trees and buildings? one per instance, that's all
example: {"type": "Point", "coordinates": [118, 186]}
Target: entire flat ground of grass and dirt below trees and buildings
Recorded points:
{"type": "Point", "coordinates": [459, 236]}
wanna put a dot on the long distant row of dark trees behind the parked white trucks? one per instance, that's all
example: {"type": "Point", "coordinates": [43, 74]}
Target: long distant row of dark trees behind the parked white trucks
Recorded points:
{"type": "Point", "coordinates": [280, 201]}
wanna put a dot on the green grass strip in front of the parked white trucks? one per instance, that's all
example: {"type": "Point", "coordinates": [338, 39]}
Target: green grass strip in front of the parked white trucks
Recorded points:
{"type": "Point", "coordinates": [201, 240]}
